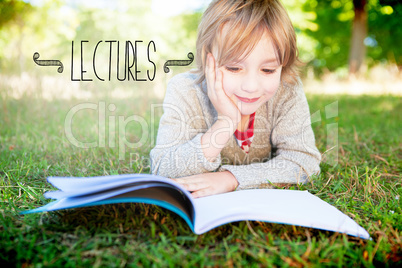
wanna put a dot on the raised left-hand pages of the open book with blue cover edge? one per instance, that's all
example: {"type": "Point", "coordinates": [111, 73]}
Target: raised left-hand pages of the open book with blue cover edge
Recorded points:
{"type": "Point", "coordinates": [151, 189]}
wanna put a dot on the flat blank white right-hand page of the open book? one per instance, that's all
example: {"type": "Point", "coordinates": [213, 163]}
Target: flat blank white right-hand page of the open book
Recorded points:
{"type": "Point", "coordinates": [278, 206]}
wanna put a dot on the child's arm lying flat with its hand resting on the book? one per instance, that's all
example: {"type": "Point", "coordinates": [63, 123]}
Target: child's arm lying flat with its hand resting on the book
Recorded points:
{"type": "Point", "coordinates": [296, 158]}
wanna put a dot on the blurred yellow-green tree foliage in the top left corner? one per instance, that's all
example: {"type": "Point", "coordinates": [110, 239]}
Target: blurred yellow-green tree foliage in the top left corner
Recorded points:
{"type": "Point", "coordinates": [29, 28]}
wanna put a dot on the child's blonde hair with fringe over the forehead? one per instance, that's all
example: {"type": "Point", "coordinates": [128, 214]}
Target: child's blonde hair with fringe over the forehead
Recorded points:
{"type": "Point", "coordinates": [245, 21]}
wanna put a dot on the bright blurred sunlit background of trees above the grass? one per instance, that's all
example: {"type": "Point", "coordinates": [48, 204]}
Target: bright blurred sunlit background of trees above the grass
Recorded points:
{"type": "Point", "coordinates": [325, 29]}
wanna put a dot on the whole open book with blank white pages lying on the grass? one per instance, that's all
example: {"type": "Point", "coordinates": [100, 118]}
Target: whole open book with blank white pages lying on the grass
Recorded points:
{"type": "Point", "coordinates": [202, 214]}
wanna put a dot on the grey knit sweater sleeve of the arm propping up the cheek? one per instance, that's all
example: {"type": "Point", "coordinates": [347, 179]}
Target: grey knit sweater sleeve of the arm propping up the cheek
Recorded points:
{"type": "Point", "coordinates": [178, 151]}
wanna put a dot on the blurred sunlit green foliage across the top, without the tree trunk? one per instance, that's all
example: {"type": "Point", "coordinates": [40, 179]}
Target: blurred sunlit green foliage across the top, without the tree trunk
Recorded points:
{"type": "Point", "coordinates": [323, 28]}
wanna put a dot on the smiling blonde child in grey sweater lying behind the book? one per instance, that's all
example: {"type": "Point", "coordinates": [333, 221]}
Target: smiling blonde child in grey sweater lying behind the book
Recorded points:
{"type": "Point", "coordinates": [242, 119]}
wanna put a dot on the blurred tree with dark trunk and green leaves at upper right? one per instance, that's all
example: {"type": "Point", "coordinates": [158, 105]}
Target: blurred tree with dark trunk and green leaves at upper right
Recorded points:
{"type": "Point", "coordinates": [347, 29]}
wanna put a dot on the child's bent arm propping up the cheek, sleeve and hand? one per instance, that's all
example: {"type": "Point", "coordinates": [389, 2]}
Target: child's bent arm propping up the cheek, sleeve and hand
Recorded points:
{"type": "Point", "coordinates": [185, 144]}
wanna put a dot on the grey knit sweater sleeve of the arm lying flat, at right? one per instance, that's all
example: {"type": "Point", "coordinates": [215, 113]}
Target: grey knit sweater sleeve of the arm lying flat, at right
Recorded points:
{"type": "Point", "coordinates": [296, 157]}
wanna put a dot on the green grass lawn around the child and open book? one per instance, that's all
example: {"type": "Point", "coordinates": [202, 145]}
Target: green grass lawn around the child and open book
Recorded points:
{"type": "Point", "coordinates": [365, 185]}
